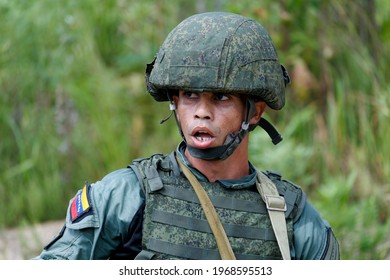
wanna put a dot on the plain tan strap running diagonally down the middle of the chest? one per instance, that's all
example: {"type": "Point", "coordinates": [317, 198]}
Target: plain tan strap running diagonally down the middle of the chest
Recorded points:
{"type": "Point", "coordinates": [223, 243]}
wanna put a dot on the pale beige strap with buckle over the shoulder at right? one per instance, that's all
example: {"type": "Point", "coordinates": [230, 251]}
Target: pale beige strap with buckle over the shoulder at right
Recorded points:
{"type": "Point", "coordinates": [276, 206]}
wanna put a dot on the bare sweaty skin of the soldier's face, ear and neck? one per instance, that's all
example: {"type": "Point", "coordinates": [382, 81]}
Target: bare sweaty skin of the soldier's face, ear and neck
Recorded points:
{"type": "Point", "coordinates": [206, 119]}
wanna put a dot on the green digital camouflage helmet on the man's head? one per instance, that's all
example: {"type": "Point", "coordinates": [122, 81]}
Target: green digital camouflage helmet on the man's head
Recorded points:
{"type": "Point", "coordinates": [218, 52]}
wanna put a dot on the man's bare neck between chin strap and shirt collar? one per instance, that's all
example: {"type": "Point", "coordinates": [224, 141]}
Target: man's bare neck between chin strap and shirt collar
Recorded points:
{"type": "Point", "coordinates": [234, 167]}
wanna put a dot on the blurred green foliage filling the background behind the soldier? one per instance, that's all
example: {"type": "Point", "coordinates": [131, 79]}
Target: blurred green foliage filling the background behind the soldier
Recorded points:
{"type": "Point", "coordinates": [73, 104]}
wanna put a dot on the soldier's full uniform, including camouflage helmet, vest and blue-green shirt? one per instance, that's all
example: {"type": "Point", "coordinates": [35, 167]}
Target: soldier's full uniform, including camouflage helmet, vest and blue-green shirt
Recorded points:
{"type": "Point", "coordinates": [149, 210]}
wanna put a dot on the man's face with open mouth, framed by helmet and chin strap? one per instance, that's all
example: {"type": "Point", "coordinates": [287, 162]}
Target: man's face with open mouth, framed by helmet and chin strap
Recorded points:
{"type": "Point", "coordinates": [207, 118]}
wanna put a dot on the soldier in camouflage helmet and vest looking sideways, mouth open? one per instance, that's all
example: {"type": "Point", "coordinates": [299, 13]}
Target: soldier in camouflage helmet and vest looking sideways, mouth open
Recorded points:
{"type": "Point", "coordinates": [218, 71]}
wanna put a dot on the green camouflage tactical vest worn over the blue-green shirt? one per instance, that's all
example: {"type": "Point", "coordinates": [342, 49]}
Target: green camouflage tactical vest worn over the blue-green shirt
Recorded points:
{"type": "Point", "coordinates": [175, 226]}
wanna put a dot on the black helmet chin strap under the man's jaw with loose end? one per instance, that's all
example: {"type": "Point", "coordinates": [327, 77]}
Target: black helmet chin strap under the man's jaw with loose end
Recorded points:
{"type": "Point", "coordinates": [232, 140]}
